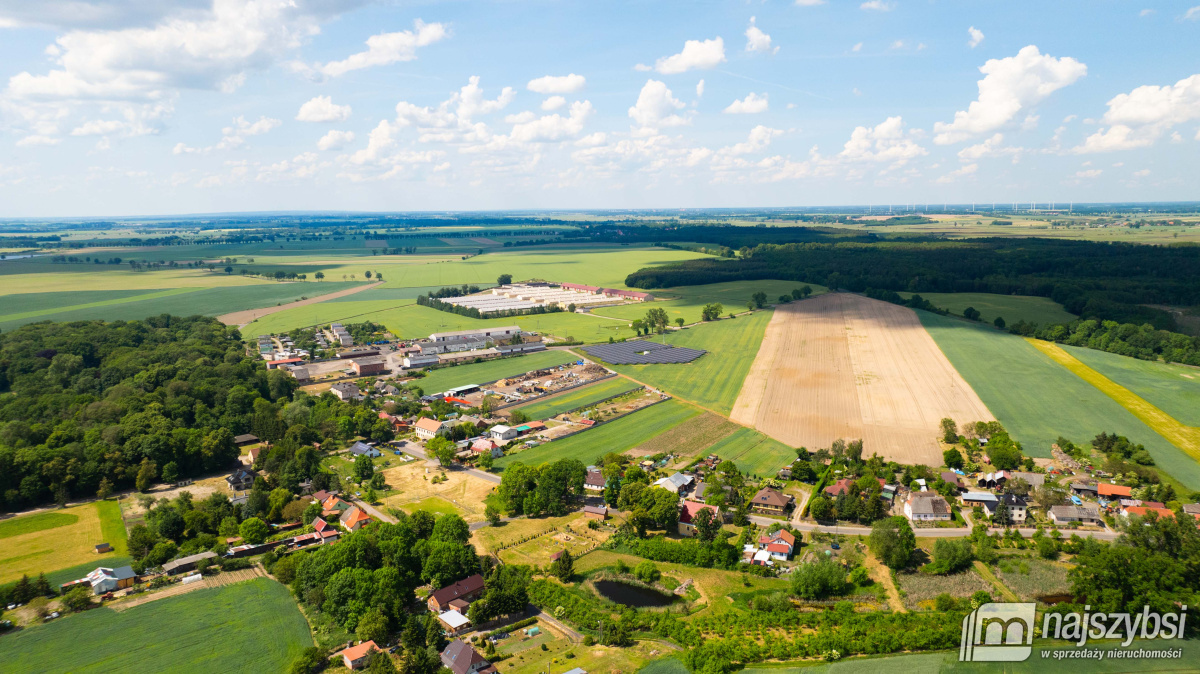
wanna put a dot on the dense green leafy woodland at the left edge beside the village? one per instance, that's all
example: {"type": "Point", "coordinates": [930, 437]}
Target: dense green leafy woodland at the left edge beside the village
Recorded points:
{"type": "Point", "coordinates": [83, 405]}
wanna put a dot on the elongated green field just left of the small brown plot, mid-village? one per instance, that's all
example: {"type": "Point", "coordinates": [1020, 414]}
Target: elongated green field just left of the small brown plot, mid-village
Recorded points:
{"type": "Point", "coordinates": [617, 436]}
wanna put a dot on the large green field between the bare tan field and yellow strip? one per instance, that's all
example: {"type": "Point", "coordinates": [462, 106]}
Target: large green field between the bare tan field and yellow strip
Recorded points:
{"type": "Point", "coordinates": [1039, 400]}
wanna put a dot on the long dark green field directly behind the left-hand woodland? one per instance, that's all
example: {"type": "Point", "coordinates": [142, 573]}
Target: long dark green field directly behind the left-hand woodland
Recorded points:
{"type": "Point", "coordinates": [178, 302]}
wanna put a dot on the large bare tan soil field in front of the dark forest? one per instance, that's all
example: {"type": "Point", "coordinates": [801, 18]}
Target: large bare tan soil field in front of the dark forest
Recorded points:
{"type": "Point", "coordinates": [845, 366]}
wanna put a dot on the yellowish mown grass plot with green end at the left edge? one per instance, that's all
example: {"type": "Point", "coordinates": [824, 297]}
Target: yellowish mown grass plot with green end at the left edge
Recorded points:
{"type": "Point", "coordinates": [49, 543]}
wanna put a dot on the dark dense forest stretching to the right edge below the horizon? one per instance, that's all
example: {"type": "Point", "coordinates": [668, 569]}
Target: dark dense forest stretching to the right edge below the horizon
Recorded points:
{"type": "Point", "coordinates": [1094, 281]}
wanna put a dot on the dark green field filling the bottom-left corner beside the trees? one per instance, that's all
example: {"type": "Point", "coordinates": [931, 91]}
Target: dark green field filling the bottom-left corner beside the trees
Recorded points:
{"type": "Point", "coordinates": [253, 627]}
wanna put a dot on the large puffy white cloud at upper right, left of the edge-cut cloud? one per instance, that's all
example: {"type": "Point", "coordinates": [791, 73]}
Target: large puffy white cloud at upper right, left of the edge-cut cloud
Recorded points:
{"type": "Point", "coordinates": [1010, 86]}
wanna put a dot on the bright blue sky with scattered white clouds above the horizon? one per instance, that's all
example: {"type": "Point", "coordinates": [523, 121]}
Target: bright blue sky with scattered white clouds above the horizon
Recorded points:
{"type": "Point", "coordinates": [190, 106]}
